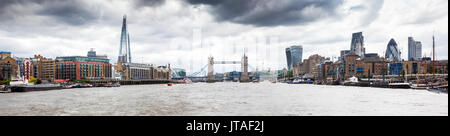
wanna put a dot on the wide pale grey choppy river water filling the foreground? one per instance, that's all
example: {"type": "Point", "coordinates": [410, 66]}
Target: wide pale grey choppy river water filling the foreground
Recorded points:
{"type": "Point", "coordinates": [219, 99]}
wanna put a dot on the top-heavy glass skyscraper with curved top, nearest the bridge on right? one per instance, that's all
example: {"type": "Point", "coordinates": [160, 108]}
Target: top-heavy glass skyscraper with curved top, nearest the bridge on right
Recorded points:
{"type": "Point", "coordinates": [294, 55]}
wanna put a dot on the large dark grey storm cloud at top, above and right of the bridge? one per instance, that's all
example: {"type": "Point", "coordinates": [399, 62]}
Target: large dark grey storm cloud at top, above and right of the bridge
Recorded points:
{"type": "Point", "coordinates": [270, 12]}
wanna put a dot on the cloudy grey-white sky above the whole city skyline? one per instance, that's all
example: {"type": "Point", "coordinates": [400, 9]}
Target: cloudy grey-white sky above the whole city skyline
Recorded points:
{"type": "Point", "coordinates": [184, 33]}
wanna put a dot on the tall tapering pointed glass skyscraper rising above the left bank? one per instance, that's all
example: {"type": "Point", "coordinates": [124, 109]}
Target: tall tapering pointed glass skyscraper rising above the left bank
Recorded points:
{"type": "Point", "coordinates": [124, 51]}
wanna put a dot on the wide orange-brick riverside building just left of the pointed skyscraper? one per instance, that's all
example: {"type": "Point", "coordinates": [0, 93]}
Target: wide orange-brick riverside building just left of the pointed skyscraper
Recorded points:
{"type": "Point", "coordinates": [82, 68]}
